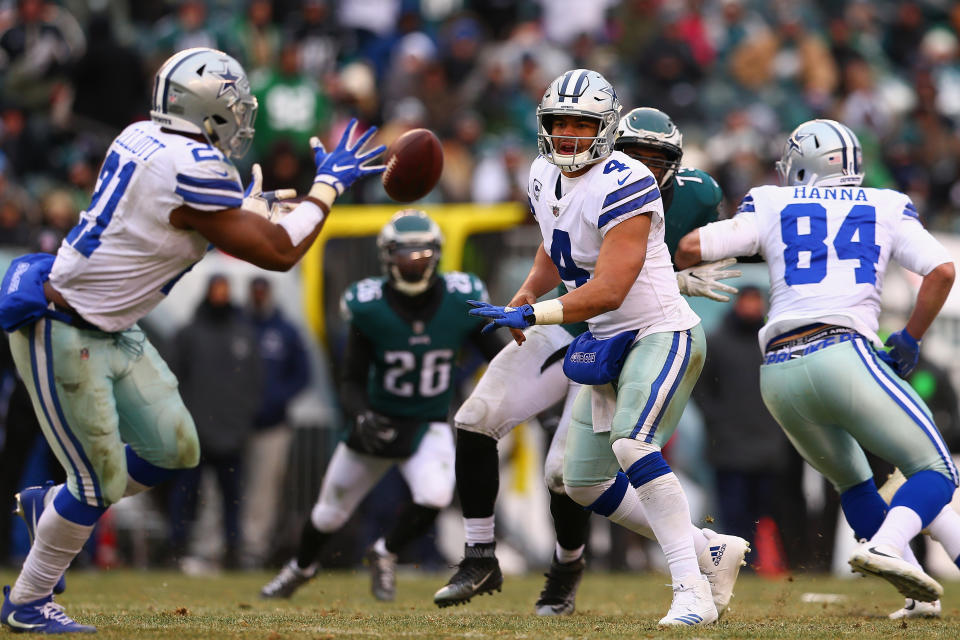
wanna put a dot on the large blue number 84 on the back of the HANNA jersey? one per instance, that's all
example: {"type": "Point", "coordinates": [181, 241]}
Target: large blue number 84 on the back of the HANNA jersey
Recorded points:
{"type": "Point", "coordinates": [855, 240]}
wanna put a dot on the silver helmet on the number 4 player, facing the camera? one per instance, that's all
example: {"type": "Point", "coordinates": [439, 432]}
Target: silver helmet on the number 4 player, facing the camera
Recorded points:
{"type": "Point", "coordinates": [585, 93]}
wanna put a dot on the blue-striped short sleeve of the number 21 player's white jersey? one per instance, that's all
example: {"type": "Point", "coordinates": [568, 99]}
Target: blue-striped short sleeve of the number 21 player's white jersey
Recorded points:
{"type": "Point", "coordinates": [210, 184]}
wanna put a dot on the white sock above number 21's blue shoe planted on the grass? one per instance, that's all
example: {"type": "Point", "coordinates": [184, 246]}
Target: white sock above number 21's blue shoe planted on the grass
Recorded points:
{"type": "Point", "coordinates": [57, 543]}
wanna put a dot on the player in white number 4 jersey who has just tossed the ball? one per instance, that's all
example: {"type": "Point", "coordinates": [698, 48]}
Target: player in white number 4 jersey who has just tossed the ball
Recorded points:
{"type": "Point", "coordinates": [601, 215]}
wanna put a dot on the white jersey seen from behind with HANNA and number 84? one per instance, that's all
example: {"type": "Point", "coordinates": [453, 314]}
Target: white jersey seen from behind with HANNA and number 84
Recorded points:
{"type": "Point", "coordinates": [827, 249]}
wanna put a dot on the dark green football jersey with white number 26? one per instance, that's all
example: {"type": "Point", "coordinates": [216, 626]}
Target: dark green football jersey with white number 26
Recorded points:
{"type": "Point", "coordinates": [412, 369]}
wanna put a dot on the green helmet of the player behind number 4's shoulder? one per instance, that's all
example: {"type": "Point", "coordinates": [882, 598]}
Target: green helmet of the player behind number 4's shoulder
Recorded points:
{"type": "Point", "coordinates": [647, 128]}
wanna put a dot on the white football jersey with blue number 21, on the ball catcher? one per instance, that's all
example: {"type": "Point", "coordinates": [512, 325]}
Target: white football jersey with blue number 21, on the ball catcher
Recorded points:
{"type": "Point", "coordinates": [124, 256]}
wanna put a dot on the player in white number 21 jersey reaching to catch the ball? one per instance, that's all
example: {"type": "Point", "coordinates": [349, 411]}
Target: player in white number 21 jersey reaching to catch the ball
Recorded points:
{"type": "Point", "coordinates": [107, 403]}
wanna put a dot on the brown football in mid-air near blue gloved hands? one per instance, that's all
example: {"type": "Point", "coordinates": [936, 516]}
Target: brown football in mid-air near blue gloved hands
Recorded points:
{"type": "Point", "coordinates": [414, 164]}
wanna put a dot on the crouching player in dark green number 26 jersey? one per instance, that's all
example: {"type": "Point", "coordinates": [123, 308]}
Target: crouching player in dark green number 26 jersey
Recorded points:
{"type": "Point", "coordinates": [406, 329]}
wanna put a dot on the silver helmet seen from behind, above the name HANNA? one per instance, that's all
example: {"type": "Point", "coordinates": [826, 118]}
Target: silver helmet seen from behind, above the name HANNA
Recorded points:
{"type": "Point", "coordinates": [821, 152]}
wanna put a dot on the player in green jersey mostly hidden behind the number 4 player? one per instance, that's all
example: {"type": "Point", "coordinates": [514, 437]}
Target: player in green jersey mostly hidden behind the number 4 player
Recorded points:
{"type": "Point", "coordinates": [691, 198]}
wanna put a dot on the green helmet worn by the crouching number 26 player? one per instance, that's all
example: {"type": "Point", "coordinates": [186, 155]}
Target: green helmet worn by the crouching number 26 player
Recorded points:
{"type": "Point", "coordinates": [409, 246]}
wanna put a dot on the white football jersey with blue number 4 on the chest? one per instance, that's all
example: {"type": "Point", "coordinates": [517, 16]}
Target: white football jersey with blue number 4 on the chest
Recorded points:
{"type": "Point", "coordinates": [573, 227]}
